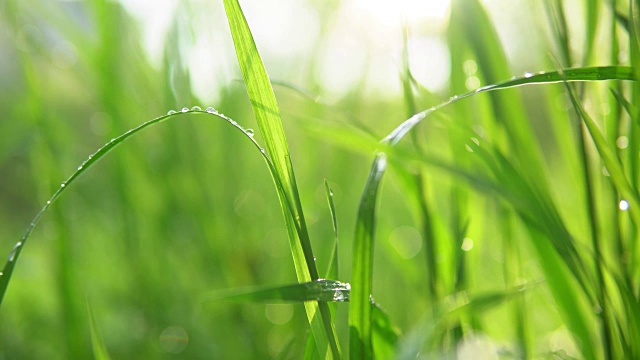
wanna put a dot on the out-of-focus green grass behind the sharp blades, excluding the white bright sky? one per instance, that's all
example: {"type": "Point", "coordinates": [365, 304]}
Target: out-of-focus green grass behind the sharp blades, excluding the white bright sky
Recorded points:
{"type": "Point", "coordinates": [492, 193]}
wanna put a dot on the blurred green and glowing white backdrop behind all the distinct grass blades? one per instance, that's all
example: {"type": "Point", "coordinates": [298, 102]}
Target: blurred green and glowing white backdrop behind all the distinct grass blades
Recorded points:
{"type": "Point", "coordinates": [188, 206]}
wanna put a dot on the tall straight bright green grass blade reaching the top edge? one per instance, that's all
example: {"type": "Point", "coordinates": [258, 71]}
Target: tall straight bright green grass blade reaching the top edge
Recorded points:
{"type": "Point", "coordinates": [267, 115]}
